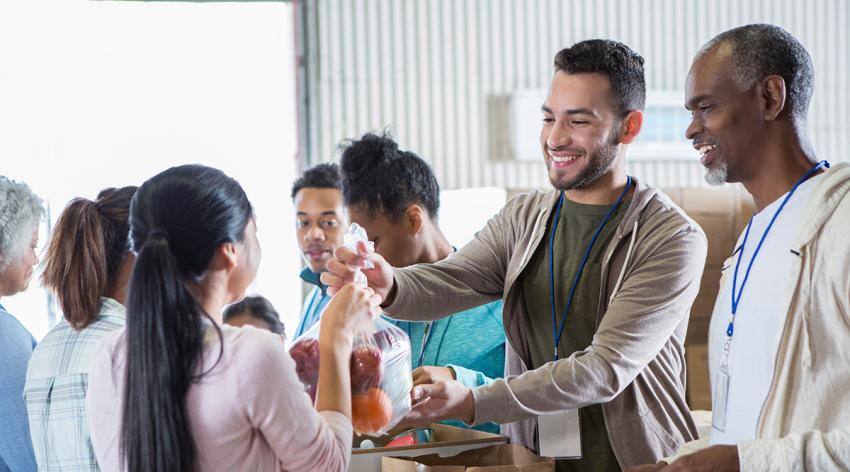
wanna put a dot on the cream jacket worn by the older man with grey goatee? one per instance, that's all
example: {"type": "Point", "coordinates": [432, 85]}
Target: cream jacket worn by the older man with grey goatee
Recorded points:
{"type": "Point", "coordinates": [805, 420]}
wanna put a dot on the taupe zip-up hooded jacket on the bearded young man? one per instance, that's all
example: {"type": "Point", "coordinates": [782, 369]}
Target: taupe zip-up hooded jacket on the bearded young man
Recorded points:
{"type": "Point", "coordinates": [635, 364]}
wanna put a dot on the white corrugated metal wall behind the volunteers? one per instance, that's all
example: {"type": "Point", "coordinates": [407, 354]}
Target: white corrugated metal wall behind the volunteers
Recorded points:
{"type": "Point", "coordinates": [438, 71]}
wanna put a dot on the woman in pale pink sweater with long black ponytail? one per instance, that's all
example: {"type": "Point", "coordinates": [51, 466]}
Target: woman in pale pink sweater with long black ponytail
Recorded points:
{"type": "Point", "coordinates": [178, 390]}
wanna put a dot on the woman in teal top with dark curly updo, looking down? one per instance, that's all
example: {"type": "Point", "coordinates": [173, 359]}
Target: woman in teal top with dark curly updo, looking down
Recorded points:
{"type": "Point", "coordinates": [395, 197]}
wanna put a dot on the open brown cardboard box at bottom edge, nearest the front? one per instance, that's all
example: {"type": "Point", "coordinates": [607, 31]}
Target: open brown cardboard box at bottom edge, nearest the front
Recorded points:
{"type": "Point", "coordinates": [505, 458]}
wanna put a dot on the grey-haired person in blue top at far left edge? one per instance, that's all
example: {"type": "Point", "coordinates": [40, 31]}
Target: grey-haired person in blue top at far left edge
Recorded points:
{"type": "Point", "coordinates": [20, 214]}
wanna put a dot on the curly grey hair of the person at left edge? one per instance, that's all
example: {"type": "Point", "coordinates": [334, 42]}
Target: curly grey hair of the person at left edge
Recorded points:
{"type": "Point", "coordinates": [20, 212]}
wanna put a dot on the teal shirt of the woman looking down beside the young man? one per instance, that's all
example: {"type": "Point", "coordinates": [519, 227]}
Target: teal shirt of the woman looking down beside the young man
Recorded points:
{"type": "Point", "coordinates": [472, 343]}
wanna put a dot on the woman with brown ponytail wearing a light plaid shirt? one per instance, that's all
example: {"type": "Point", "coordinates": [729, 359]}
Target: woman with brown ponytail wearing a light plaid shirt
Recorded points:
{"type": "Point", "coordinates": [87, 267]}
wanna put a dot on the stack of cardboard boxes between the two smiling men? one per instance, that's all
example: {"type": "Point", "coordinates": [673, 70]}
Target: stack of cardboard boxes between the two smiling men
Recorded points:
{"type": "Point", "coordinates": [722, 213]}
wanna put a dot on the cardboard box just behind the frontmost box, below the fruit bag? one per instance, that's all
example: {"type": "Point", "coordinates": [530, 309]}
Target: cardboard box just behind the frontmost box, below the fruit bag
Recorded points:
{"type": "Point", "coordinates": [448, 441]}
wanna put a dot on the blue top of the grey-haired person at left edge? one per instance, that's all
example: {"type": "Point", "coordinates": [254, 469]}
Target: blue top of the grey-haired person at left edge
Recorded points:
{"type": "Point", "coordinates": [16, 345]}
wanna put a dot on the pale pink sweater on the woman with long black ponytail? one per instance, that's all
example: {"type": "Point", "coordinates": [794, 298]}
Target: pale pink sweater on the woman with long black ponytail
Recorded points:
{"type": "Point", "coordinates": [249, 413]}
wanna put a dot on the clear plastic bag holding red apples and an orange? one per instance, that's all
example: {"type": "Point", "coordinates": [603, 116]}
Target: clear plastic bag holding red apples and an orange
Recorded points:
{"type": "Point", "coordinates": [380, 366]}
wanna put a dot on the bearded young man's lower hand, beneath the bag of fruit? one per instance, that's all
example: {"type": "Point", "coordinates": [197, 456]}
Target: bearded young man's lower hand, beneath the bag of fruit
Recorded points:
{"type": "Point", "coordinates": [443, 400]}
